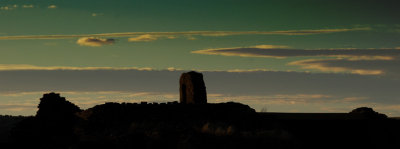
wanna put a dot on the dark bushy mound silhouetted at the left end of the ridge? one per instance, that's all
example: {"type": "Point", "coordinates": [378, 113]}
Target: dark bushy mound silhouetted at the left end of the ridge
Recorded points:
{"type": "Point", "coordinates": [52, 127]}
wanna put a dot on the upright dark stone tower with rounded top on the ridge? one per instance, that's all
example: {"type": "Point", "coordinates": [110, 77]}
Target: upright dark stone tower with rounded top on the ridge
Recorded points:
{"type": "Point", "coordinates": [192, 88]}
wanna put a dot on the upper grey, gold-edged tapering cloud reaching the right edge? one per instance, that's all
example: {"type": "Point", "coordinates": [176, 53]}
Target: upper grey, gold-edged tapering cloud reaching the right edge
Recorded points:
{"type": "Point", "coordinates": [278, 51]}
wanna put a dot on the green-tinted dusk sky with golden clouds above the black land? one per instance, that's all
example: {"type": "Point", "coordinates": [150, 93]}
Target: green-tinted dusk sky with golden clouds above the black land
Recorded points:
{"type": "Point", "coordinates": [277, 55]}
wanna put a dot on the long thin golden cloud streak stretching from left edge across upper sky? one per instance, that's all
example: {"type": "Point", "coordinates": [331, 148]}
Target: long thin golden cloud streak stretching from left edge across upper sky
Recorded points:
{"type": "Point", "coordinates": [188, 34]}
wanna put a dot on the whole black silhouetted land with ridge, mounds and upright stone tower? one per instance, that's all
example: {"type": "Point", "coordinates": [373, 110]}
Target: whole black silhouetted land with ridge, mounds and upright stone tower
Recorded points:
{"type": "Point", "coordinates": [194, 123]}
